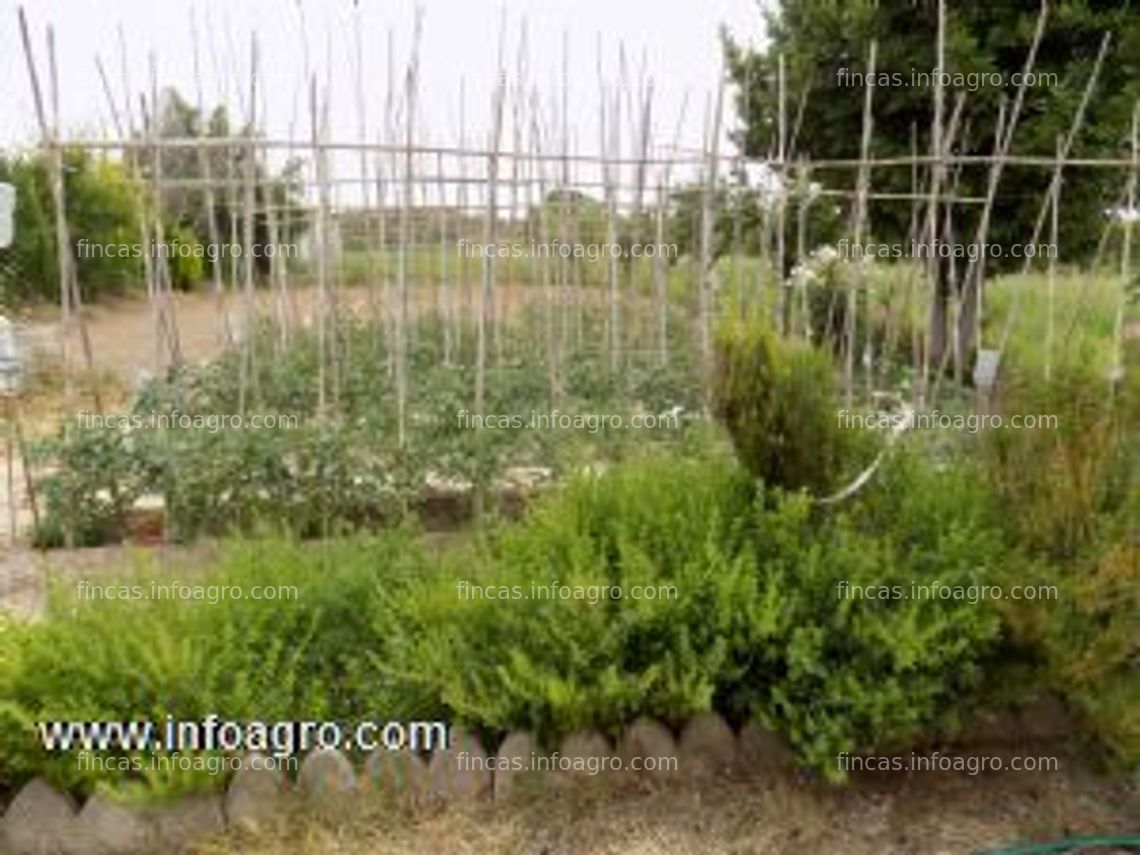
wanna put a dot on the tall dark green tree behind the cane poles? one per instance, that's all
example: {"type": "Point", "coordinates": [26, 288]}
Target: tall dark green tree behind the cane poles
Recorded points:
{"type": "Point", "coordinates": [826, 45]}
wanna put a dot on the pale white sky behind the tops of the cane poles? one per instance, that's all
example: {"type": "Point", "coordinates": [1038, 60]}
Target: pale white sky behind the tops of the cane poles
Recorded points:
{"type": "Point", "coordinates": [679, 40]}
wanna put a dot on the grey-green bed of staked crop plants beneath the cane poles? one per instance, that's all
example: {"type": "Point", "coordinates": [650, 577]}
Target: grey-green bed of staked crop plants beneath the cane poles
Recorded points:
{"type": "Point", "coordinates": [346, 471]}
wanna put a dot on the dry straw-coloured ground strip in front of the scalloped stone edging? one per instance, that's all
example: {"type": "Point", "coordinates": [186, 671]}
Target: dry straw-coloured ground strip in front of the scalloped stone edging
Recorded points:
{"type": "Point", "coordinates": [767, 813]}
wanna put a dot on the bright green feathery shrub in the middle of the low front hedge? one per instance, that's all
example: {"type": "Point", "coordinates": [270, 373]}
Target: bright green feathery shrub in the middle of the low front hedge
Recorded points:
{"type": "Point", "coordinates": [559, 665]}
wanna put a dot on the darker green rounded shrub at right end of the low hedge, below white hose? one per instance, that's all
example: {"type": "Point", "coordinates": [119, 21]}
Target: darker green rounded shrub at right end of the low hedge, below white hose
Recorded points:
{"type": "Point", "coordinates": [842, 672]}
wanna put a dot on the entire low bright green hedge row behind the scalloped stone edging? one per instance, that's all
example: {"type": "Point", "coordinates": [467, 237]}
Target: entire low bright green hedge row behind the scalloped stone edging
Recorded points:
{"type": "Point", "coordinates": [747, 620]}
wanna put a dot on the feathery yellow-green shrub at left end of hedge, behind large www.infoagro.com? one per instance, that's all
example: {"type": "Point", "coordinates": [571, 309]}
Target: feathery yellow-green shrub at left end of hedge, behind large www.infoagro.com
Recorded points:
{"type": "Point", "coordinates": [298, 657]}
